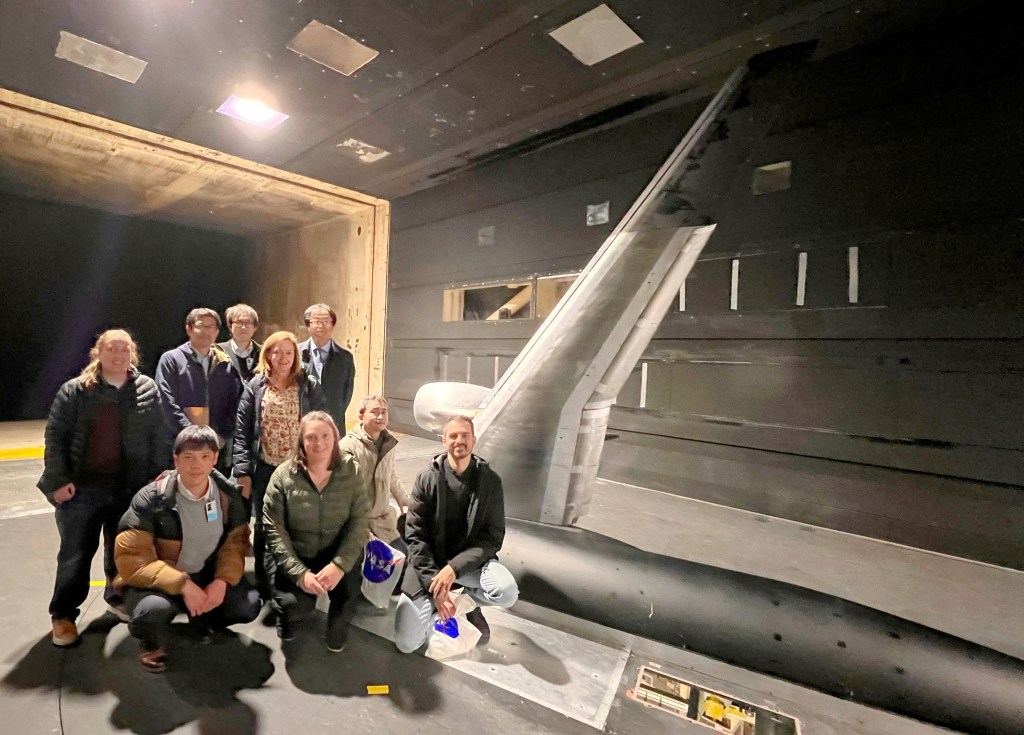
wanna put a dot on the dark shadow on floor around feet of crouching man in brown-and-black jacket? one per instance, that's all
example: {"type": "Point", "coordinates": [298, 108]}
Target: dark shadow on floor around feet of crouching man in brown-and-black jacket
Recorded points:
{"type": "Point", "coordinates": [200, 685]}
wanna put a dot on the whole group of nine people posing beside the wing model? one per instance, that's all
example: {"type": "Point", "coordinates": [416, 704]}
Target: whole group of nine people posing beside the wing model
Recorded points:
{"type": "Point", "coordinates": [168, 472]}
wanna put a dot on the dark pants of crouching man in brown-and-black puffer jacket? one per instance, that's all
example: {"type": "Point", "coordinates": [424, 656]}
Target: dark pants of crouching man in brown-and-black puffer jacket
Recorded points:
{"type": "Point", "coordinates": [151, 612]}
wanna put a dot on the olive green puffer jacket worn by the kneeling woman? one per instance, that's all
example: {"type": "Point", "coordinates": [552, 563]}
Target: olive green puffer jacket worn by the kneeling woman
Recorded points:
{"type": "Point", "coordinates": [303, 524]}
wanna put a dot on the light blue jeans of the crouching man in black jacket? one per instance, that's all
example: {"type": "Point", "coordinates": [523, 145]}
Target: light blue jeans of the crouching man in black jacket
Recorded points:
{"type": "Point", "coordinates": [492, 585]}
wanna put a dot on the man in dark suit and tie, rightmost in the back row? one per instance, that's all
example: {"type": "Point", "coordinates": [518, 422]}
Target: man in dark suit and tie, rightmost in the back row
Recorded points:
{"type": "Point", "coordinates": [328, 362]}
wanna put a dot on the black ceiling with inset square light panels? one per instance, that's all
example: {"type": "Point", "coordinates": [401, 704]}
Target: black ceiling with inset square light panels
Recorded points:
{"type": "Point", "coordinates": [456, 82]}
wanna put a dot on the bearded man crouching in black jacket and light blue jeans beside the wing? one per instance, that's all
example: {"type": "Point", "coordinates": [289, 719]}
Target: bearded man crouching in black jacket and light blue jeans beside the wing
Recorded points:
{"type": "Point", "coordinates": [455, 528]}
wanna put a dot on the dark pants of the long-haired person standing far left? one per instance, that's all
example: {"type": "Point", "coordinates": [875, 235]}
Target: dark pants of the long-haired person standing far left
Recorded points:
{"type": "Point", "coordinates": [81, 522]}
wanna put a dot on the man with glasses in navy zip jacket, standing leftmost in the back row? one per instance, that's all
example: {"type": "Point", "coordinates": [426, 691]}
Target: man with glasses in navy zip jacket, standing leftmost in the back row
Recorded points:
{"type": "Point", "coordinates": [199, 386]}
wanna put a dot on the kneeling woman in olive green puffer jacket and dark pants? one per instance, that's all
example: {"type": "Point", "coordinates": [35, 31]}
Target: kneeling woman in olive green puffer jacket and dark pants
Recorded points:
{"type": "Point", "coordinates": [315, 516]}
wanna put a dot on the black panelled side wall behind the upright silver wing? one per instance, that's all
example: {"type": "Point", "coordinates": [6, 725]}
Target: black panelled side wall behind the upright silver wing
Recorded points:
{"type": "Point", "coordinates": [902, 149]}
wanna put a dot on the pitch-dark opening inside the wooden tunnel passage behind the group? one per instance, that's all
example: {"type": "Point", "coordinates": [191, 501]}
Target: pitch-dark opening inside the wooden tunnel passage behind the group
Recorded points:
{"type": "Point", "coordinates": [67, 274]}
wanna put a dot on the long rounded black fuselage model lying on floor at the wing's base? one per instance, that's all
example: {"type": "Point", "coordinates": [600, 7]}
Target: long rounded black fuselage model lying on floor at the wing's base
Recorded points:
{"type": "Point", "coordinates": [817, 640]}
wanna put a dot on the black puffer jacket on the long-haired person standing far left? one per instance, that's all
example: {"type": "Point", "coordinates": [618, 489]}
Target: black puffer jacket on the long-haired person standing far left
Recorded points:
{"type": "Point", "coordinates": [146, 450]}
